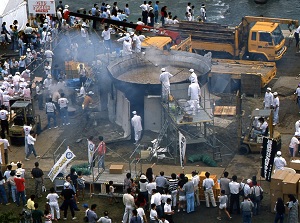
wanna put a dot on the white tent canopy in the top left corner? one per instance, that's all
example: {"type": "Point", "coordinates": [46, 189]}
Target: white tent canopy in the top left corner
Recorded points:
{"type": "Point", "coordinates": [11, 10]}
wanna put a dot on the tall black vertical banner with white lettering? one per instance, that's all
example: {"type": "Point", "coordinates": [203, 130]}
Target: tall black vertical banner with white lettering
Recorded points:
{"type": "Point", "coordinates": [268, 154]}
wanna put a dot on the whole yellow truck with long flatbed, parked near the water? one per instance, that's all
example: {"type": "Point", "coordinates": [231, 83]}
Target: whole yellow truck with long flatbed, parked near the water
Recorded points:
{"type": "Point", "coordinates": [255, 38]}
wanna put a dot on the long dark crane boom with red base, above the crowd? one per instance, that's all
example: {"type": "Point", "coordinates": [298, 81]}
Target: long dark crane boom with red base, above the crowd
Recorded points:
{"type": "Point", "coordinates": [142, 28]}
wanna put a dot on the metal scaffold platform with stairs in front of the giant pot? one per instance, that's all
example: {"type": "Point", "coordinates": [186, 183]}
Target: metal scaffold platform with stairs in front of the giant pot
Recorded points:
{"type": "Point", "coordinates": [197, 128]}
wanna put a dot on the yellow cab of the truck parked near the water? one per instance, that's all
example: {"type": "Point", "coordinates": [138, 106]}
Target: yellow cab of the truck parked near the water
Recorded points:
{"type": "Point", "coordinates": [266, 42]}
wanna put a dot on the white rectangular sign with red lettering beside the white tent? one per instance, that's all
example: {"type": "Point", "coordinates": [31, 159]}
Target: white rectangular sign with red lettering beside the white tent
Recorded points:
{"type": "Point", "coordinates": [41, 6]}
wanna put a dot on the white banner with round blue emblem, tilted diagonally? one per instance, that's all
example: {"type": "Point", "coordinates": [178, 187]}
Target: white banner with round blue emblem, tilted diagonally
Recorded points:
{"type": "Point", "coordinates": [61, 164]}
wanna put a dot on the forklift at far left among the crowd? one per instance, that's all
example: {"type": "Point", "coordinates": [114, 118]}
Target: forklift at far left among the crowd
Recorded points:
{"type": "Point", "coordinates": [21, 113]}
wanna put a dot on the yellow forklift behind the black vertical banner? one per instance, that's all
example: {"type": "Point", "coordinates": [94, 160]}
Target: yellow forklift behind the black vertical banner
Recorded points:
{"type": "Point", "coordinates": [251, 142]}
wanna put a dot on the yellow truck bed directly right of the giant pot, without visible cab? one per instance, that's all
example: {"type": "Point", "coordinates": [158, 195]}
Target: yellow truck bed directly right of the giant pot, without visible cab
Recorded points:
{"type": "Point", "coordinates": [228, 76]}
